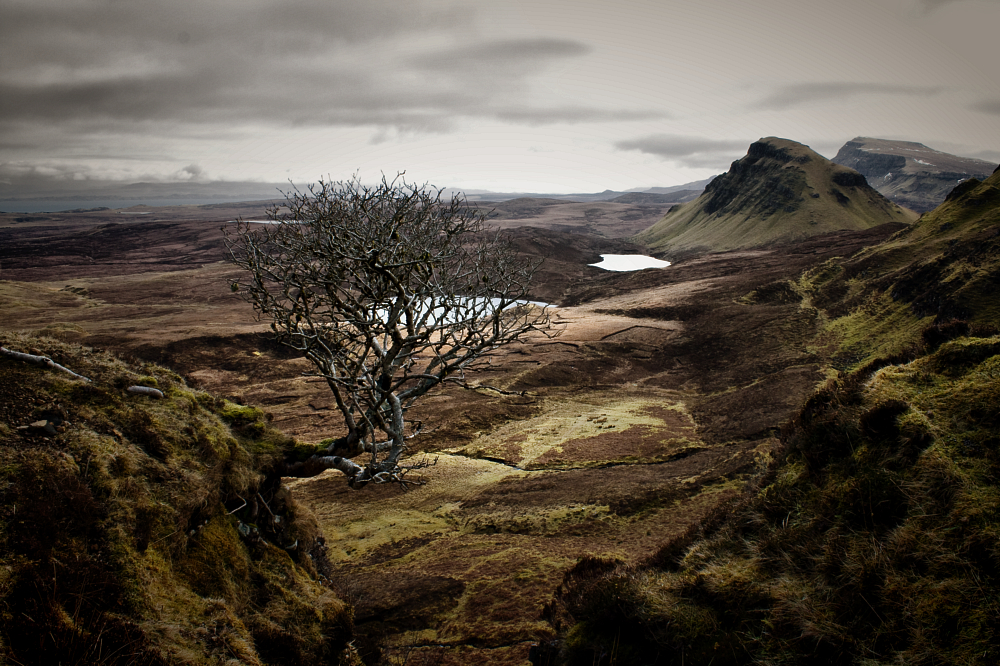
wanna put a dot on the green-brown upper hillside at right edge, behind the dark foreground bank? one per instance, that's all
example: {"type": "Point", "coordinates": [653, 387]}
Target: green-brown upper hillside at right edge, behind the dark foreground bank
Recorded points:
{"type": "Point", "coordinates": [944, 268]}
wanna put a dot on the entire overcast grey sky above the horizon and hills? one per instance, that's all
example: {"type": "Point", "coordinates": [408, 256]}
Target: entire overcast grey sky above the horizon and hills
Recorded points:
{"type": "Point", "coordinates": [505, 95]}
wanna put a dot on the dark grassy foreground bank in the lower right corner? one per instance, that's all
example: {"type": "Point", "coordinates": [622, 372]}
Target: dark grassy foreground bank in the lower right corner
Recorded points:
{"type": "Point", "coordinates": [877, 541]}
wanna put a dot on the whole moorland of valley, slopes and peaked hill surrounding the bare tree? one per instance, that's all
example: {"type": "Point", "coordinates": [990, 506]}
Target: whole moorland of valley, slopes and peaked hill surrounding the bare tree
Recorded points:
{"type": "Point", "coordinates": [691, 469]}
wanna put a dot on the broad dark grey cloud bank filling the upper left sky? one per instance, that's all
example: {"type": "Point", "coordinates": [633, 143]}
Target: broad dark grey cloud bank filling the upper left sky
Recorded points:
{"type": "Point", "coordinates": [302, 62]}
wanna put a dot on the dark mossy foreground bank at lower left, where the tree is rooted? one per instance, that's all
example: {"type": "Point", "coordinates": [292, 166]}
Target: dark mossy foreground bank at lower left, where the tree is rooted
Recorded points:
{"type": "Point", "coordinates": [136, 530]}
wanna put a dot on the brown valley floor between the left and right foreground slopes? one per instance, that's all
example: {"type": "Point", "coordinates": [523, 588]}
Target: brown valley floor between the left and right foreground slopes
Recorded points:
{"type": "Point", "coordinates": [661, 392]}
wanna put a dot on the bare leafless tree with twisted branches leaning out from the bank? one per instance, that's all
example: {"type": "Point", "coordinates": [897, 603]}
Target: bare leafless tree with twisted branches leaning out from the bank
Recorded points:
{"type": "Point", "coordinates": [389, 290]}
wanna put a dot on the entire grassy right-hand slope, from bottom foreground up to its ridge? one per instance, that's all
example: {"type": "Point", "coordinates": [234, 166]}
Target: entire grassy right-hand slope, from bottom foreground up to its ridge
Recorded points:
{"type": "Point", "coordinates": [875, 541]}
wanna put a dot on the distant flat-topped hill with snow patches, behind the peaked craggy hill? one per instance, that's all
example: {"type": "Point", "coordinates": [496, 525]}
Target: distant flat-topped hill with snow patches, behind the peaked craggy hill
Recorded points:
{"type": "Point", "coordinates": [910, 174]}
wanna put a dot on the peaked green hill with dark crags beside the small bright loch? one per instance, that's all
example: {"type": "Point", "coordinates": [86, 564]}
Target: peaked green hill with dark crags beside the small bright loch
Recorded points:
{"type": "Point", "coordinates": [780, 191]}
